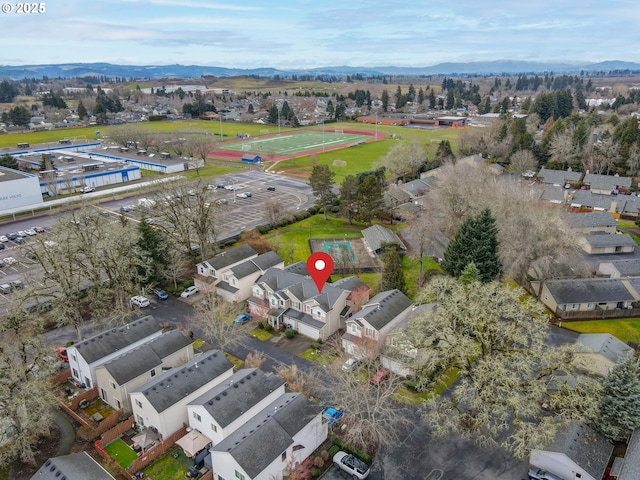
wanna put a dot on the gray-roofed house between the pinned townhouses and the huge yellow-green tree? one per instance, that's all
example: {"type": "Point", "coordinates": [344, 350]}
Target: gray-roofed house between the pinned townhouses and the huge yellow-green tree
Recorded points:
{"type": "Point", "coordinates": [366, 330]}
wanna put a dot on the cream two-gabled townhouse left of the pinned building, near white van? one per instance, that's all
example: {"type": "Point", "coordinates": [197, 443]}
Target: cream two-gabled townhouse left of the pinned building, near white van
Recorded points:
{"type": "Point", "coordinates": [232, 273]}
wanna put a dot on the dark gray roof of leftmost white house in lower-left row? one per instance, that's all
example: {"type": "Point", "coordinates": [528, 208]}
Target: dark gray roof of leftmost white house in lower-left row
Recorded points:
{"type": "Point", "coordinates": [110, 341]}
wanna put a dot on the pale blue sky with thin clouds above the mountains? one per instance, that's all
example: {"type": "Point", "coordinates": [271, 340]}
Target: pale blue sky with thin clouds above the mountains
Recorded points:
{"type": "Point", "coordinates": [291, 34]}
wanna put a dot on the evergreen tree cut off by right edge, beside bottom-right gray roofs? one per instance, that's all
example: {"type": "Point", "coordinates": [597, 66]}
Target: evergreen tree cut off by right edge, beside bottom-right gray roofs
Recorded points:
{"type": "Point", "coordinates": [620, 403]}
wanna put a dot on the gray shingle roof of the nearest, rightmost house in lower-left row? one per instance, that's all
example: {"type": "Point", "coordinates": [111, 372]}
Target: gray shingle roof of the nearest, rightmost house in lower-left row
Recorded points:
{"type": "Point", "coordinates": [262, 440]}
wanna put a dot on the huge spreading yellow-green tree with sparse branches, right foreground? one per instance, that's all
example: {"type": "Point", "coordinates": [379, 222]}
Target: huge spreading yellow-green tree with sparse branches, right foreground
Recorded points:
{"type": "Point", "coordinates": [497, 341]}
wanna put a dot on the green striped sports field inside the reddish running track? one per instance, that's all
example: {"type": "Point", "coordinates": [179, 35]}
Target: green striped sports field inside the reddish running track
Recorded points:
{"type": "Point", "coordinates": [288, 143]}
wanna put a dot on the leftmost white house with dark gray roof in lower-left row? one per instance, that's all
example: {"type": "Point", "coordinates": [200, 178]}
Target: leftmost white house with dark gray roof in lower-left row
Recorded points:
{"type": "Point", "coordinates": [88, 354]}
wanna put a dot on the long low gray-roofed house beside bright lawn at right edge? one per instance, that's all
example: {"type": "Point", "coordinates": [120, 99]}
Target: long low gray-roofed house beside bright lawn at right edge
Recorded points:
{"type": "Point", "coordinates": [580, 295]}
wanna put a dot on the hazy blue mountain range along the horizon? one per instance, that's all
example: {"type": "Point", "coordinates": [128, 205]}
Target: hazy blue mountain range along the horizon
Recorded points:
{"type": "Point", "coordinates": [69, 70]}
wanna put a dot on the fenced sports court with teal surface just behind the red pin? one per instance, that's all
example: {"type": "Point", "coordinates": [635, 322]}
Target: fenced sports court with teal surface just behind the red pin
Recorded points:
{"type": "Point", "coordinates": [349, 255]}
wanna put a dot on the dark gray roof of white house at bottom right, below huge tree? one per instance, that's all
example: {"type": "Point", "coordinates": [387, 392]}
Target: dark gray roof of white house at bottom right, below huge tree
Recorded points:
{"type": "Point", "coordinates": [584, 446]}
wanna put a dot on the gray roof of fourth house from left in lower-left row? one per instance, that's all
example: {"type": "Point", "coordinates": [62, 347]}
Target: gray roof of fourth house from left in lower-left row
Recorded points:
{"type": "Point", "coordinates": [245, 389]}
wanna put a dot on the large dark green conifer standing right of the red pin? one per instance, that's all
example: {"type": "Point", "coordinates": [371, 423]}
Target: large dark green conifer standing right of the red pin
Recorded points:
{"type": "Point", "coordinates": [476, 241]}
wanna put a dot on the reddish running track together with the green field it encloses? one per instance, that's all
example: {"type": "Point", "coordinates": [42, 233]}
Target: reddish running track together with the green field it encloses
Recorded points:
{"type": "Point", "coordinates": [292, 144]}
